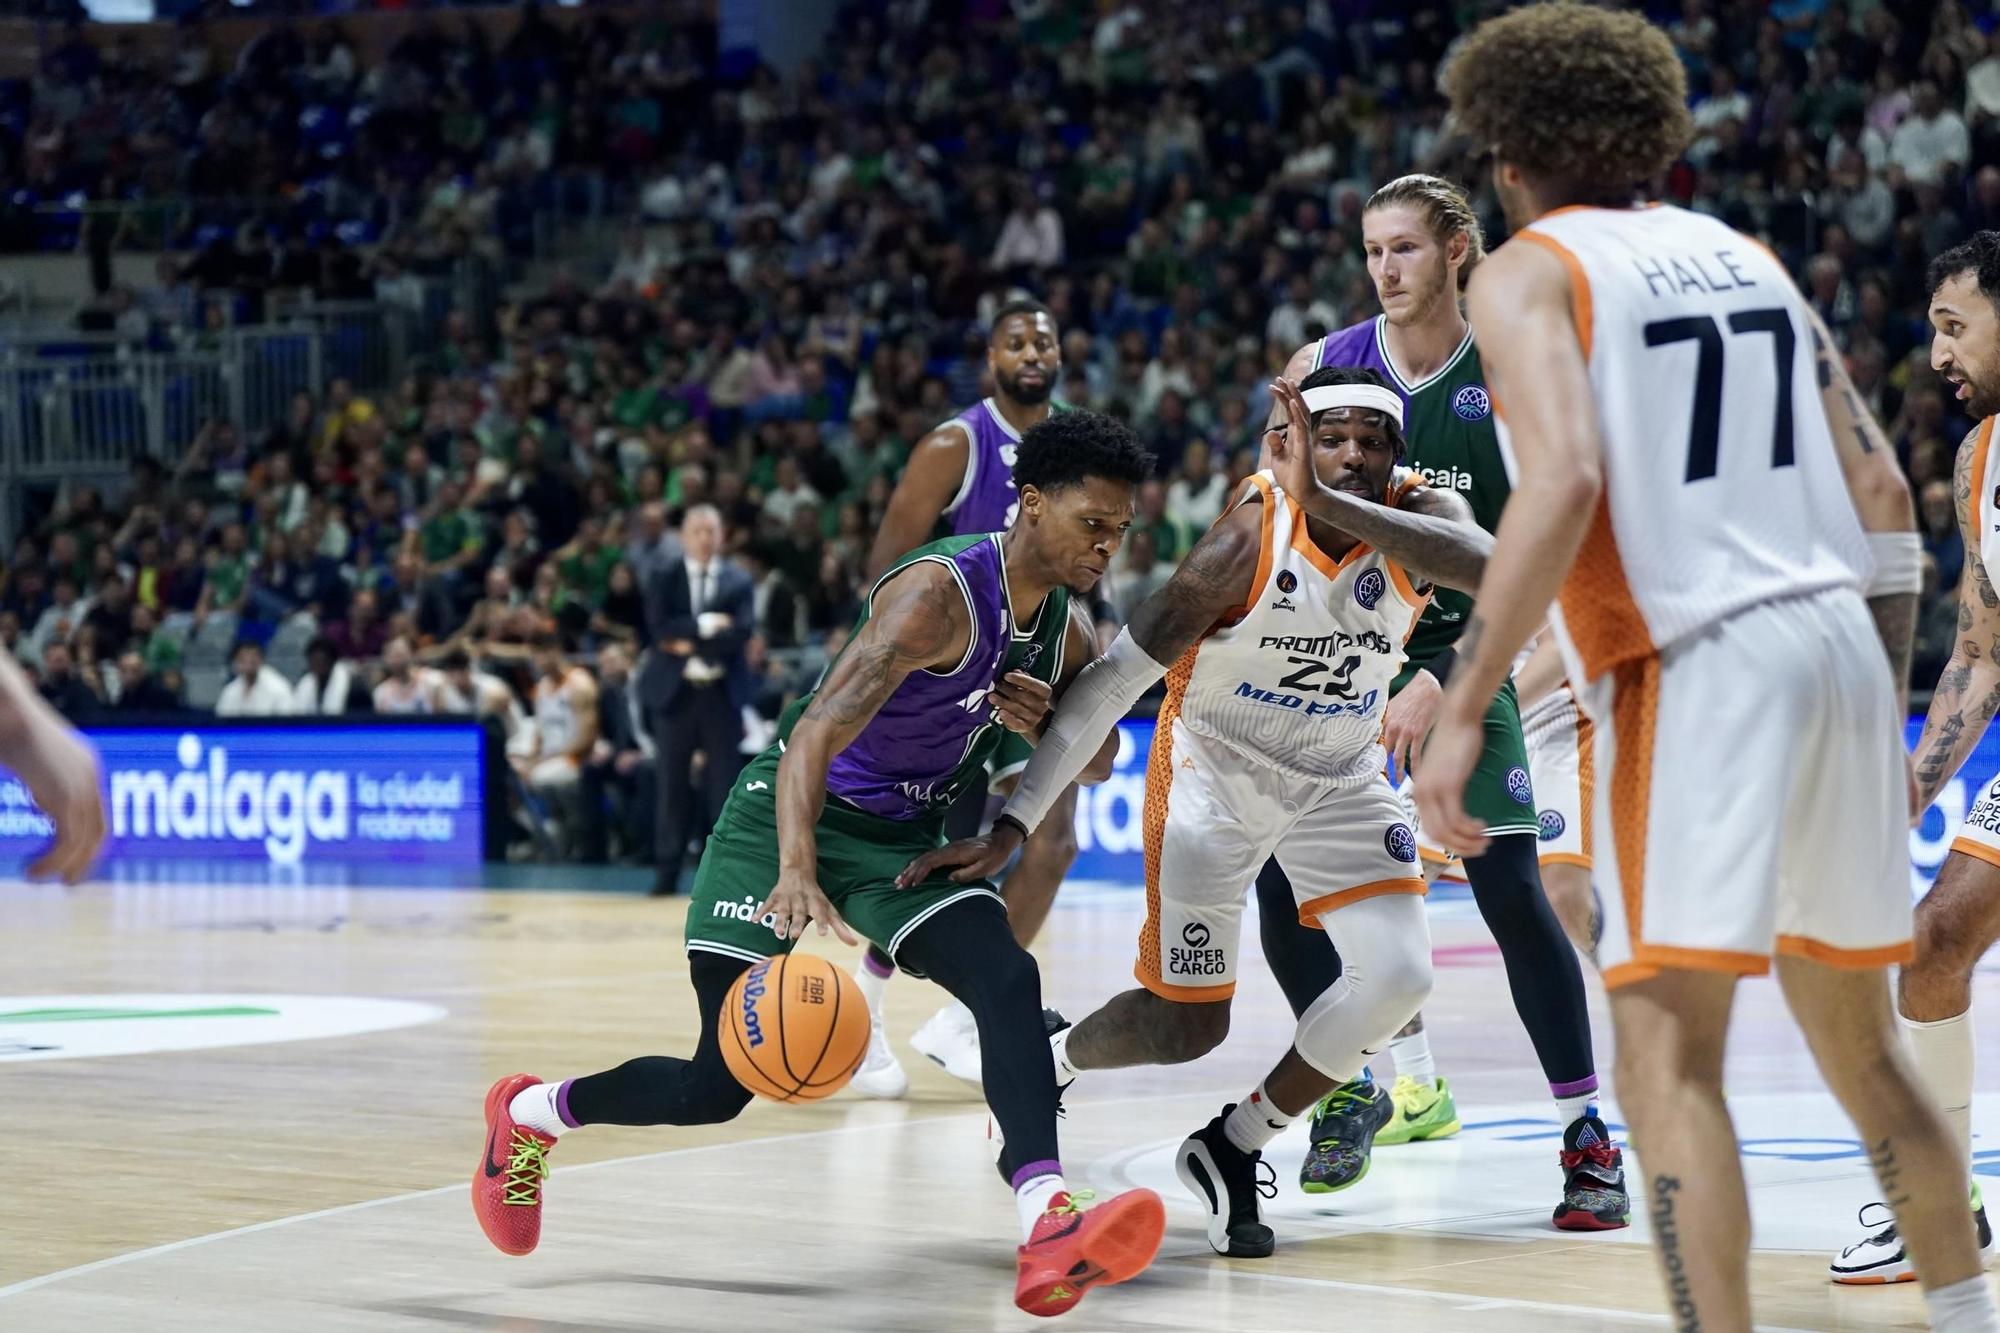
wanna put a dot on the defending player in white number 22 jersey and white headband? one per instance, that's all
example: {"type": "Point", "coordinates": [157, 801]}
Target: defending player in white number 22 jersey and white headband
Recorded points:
{"type": "Point", "coordinates": [1285, 635]}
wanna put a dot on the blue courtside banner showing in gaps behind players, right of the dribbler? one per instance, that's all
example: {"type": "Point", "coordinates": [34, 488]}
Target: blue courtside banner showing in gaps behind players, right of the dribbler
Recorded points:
{"type": "Point", "coordinates": [1111, 828]}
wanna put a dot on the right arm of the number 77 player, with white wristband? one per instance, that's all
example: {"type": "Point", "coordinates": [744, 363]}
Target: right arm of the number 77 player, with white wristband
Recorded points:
{"type": "Point", "coordinates": [1881, 501]}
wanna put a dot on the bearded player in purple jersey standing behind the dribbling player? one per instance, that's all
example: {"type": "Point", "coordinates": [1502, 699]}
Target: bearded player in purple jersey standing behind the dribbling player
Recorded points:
{"type": "Point", "coordinates": [961, 479]}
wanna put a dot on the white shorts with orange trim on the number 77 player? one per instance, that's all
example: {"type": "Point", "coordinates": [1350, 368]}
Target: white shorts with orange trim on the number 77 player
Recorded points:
{"type": "Point", "coordinates": [1755, 798]}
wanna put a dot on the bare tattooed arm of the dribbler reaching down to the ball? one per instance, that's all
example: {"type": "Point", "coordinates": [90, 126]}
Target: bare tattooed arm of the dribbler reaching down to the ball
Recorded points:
{"type": "Point", "coordinates": [919, 619]}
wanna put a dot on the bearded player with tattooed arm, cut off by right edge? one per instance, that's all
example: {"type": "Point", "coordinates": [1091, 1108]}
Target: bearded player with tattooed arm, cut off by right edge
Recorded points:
{"type": "Point", "coordinates": [1959, 920]}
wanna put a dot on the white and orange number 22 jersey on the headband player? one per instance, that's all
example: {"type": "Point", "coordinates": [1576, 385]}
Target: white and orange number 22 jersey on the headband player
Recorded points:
{"type": "Point", "coordinates": [1299, 682]}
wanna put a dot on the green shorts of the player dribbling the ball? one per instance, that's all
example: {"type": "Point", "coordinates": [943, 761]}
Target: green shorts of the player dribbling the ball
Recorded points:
{"type": "Point", "coordinates": [861, 858]}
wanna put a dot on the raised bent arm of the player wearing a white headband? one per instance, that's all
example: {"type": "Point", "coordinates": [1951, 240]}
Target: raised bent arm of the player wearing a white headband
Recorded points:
{"type": "Point", "coordinates": [1431, 533]}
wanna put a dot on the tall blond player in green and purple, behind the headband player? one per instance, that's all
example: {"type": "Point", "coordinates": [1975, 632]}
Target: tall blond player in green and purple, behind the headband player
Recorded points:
{"type": "Point", "coordinates": [1423, 243]}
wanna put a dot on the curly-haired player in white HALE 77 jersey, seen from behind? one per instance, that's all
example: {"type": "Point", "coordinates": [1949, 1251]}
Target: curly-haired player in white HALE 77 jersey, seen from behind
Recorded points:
{"type": "Point", "coordinates": [1729, 549]}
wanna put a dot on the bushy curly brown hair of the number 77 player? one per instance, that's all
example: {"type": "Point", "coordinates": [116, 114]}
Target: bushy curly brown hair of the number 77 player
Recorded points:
{"type": "Point", "coordinates": [1575, 95]}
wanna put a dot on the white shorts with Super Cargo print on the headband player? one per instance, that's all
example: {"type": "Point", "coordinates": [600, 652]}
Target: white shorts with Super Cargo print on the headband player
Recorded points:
{"type": "Point", "coordinates": [1215, 818]}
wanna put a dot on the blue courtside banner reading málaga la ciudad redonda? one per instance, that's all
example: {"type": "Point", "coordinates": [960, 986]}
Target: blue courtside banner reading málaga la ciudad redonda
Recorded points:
{"type": "Point", "coordinates": [279, 796]}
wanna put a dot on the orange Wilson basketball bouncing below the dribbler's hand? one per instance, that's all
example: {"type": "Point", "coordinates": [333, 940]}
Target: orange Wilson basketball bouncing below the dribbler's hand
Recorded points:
{"type": "Point", "coordinates": [795, 1028]}
